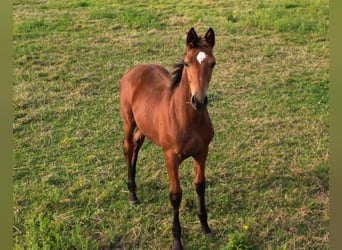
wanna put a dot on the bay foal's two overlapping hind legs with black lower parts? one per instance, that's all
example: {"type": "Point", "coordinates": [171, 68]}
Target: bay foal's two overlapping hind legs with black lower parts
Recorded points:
{"type": "Point", "coordinates": [133, 139]}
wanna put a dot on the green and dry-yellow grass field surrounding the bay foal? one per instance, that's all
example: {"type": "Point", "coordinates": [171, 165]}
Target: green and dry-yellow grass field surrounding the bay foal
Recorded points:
{"type": "Point", "coordinates": [267, 169]}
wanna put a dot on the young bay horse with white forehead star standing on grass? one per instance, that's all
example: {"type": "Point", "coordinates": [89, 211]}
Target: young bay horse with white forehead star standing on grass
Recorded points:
{"type": "Point", "coordinates": [172, 113]}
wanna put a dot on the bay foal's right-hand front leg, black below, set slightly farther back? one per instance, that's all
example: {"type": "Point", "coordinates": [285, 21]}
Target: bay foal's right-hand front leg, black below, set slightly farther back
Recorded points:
{"type": "Point", "coordinates": [199, 168]}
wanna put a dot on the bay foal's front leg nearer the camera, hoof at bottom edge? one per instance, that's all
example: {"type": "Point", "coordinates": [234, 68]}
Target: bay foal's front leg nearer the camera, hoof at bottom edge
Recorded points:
{"type": "Point", "coordinates": [172, 163]}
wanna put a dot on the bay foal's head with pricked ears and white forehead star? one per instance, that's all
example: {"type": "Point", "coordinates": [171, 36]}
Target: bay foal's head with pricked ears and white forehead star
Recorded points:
{"type": "Point", "coordinates": [199, 62]}
